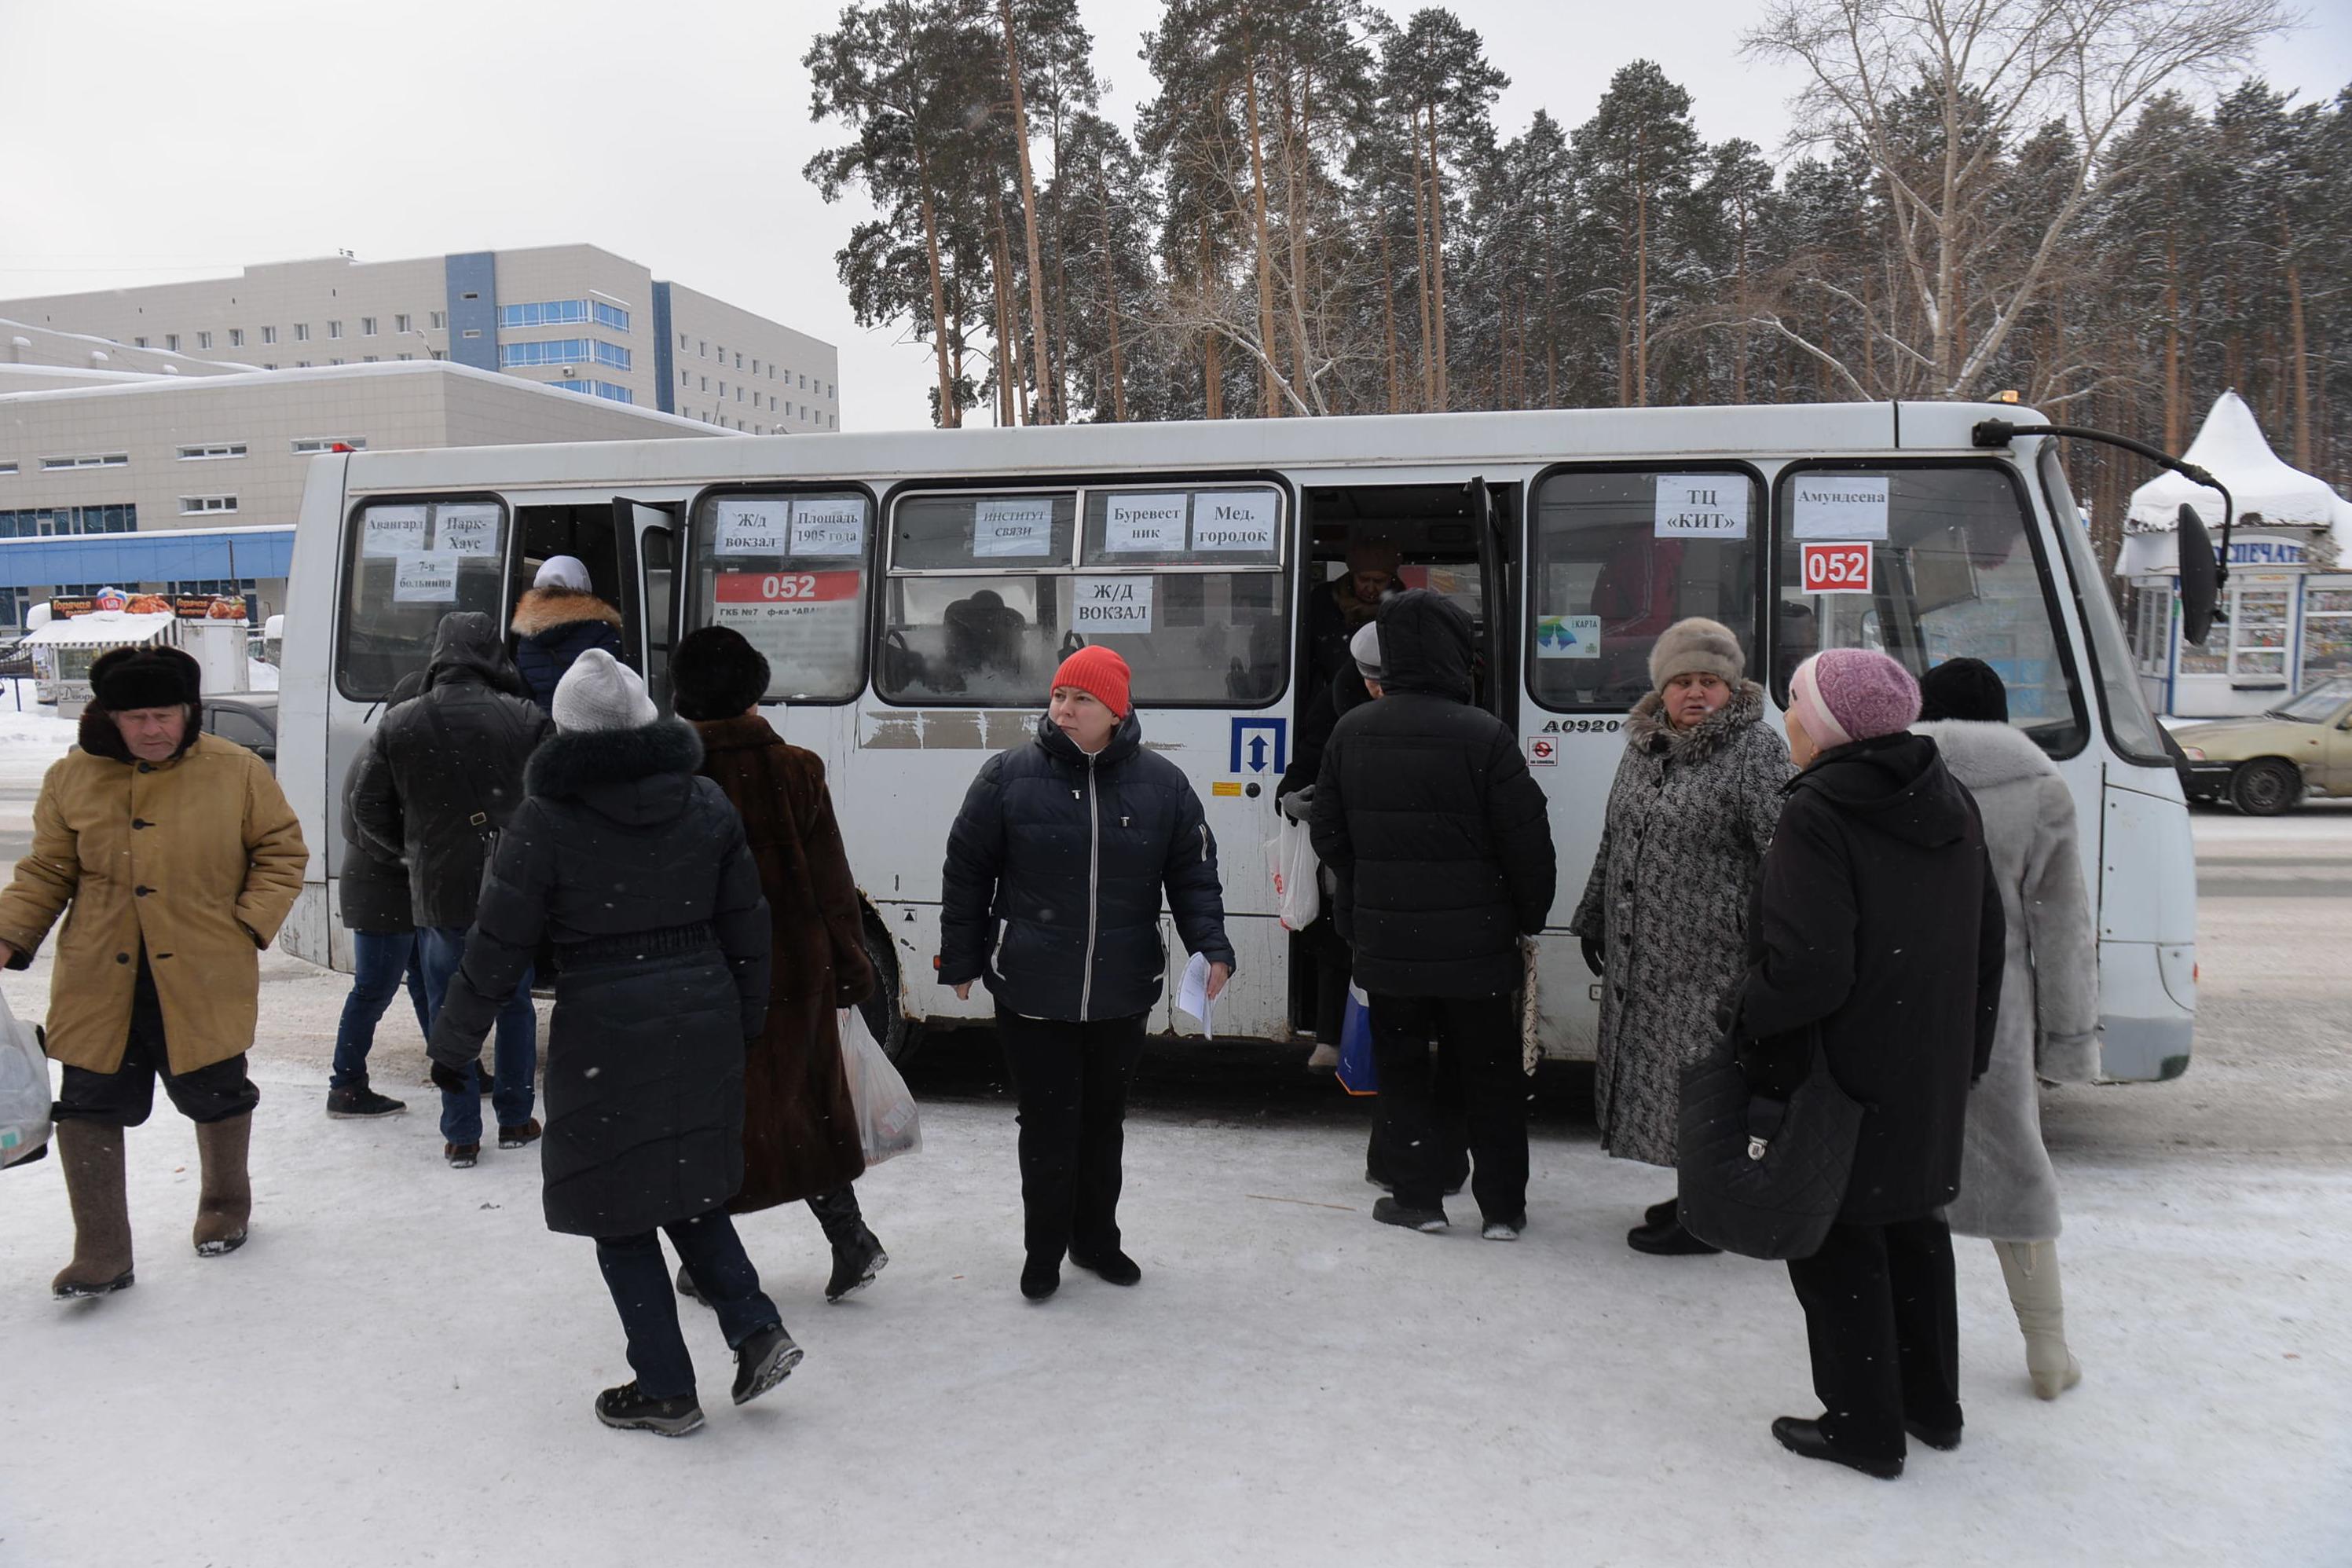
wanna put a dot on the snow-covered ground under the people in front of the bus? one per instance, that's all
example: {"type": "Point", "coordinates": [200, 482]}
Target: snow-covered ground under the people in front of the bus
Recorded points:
{"type": "Point", "coordinates": [399, 1372]}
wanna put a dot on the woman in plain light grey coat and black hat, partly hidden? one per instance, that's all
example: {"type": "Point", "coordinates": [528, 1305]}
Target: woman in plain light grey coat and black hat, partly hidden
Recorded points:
{"type": "Point", "coordinates": [2050, 1000]}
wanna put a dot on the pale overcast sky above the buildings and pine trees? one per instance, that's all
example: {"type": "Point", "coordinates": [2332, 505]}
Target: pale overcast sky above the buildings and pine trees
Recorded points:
{"type": "Point", "coordinates": [159, 140]}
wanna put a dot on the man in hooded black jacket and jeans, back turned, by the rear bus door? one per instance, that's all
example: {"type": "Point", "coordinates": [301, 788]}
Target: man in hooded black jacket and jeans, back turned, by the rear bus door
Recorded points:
{"type": "Point", "coordinates": [441, 777]}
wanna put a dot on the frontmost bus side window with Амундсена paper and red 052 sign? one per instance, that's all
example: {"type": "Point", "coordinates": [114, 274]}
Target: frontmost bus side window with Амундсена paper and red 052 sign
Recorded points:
{"type": "Point", "coordinates": [1925, 563]}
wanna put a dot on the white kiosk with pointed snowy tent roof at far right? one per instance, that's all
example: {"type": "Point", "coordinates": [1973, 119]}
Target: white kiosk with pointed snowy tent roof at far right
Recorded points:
{"type": "Point", "coordinates": [2287, 610]}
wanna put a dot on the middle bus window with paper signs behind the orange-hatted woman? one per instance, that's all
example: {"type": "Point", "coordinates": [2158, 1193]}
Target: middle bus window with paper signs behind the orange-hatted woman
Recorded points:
{"type": "Point", "coordinates": [991, 591]}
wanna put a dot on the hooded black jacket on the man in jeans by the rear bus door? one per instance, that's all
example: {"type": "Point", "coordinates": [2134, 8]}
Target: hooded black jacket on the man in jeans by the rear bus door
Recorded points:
{"type": "Point", "coordinates": [446, 770]}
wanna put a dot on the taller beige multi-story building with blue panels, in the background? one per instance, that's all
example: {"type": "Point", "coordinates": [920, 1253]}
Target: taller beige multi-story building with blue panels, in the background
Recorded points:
{"type": "Point", "coordinates": [568, 316]}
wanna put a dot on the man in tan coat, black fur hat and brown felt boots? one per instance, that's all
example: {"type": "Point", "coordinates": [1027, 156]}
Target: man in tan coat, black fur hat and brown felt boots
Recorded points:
{"type": "Point", "coordinates": [178, 857]}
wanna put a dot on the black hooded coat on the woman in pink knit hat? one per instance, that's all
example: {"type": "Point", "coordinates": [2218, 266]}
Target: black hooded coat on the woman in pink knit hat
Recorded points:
{"type": "Point", "coordinates": [1878, 923]}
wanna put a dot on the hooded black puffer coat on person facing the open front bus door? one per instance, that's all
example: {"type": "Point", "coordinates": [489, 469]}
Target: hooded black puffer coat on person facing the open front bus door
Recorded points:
{"type": "Point", "coordinates": [1431, 822]}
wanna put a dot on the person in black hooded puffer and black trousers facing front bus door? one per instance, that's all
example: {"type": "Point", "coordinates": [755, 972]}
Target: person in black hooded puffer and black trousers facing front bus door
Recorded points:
{"type": "Point", "coordinates": [1443, 857]}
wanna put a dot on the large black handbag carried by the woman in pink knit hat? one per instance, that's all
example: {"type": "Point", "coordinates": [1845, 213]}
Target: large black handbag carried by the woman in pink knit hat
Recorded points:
{"type": "Point", "coordinates": [1763, 1177]}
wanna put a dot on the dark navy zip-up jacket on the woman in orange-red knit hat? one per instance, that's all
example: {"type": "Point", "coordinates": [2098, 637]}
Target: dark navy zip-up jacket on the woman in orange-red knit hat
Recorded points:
{"type": "Point", "coordinates": [1055, 876]}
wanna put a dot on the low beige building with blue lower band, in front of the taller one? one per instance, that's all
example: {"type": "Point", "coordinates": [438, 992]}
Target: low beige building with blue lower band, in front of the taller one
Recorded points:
{"type": "Point", "coordinates": [192, 483]}
